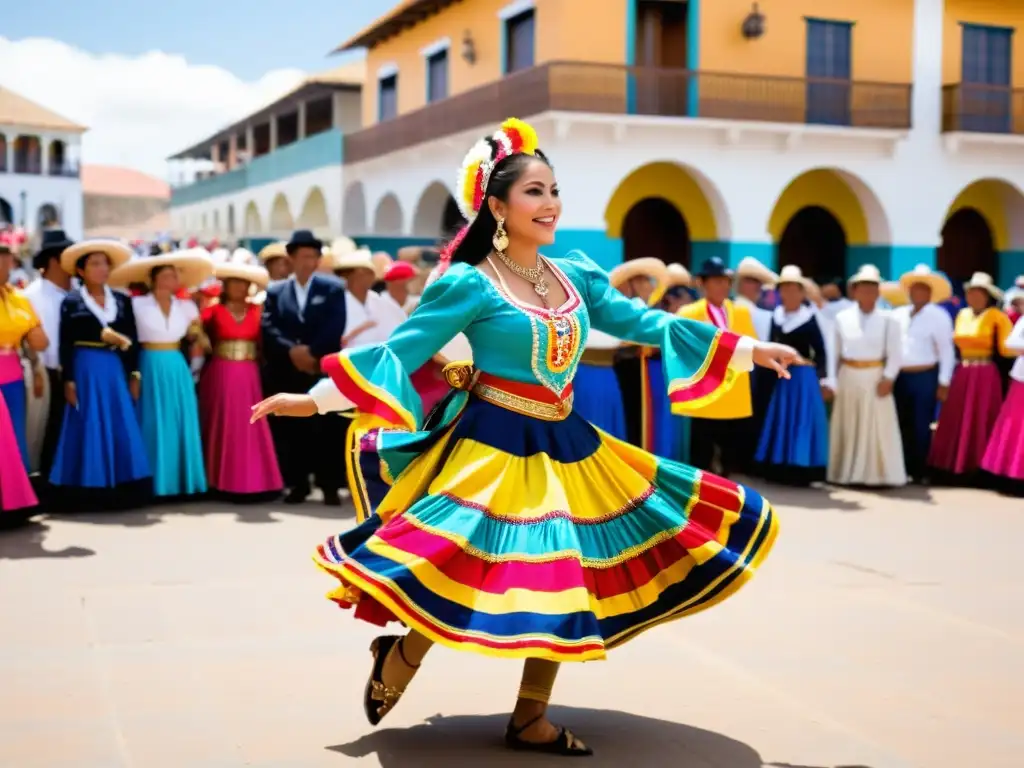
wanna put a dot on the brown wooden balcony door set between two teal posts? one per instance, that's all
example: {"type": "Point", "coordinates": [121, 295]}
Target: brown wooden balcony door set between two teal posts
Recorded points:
{"type": "Point", "coordinates": [661, 58]}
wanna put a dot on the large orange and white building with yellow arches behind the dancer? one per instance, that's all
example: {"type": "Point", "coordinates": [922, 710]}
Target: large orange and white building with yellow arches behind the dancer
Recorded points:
{"type": "Point", "coordinates": [826, 136]}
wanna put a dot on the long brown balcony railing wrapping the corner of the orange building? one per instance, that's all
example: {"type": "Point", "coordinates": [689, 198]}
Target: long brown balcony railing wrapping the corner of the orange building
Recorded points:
{"type": "Point", "coordinates": [613, 90]}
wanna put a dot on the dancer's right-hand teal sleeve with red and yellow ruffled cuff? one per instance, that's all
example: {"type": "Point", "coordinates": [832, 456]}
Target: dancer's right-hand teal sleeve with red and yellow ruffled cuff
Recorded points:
{"type": "Point", "coordinates": [702, 363]}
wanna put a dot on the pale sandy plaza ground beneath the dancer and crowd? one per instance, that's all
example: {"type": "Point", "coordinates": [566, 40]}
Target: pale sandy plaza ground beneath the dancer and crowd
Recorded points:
{"type": "Point", "coordinates": [885, 631]}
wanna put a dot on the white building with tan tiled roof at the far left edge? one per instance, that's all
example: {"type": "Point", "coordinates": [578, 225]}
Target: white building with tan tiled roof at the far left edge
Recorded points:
{"type": "Point", "coordinates": [39, 172]}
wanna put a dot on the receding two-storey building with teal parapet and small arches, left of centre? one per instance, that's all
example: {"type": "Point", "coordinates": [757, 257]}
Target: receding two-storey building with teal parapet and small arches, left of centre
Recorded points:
{"type": "Point", "coordinates": [278, 169]}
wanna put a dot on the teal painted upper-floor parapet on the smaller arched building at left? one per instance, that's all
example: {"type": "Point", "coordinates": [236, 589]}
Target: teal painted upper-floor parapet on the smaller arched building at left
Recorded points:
{"type": "Point", "coordinates": [315, 152]}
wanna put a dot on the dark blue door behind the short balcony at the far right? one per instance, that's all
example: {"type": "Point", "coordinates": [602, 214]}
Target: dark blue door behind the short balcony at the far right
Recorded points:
{"type": "Point", "coordinates": [986, 95]}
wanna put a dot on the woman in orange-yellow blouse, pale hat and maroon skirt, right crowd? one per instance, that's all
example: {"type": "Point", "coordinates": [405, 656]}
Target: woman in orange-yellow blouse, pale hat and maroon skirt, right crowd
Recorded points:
{"type": "Point", "coordinates": [969, 415]}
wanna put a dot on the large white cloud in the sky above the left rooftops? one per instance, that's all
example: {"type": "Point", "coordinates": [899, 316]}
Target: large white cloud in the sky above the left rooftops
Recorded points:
{"type": "Point", "coordinates": [140, 110]}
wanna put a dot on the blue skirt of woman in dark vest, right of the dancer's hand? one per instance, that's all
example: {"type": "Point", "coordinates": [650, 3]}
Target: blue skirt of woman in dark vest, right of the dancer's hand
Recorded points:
{"type": "Point", "coordinates": [796, 428]}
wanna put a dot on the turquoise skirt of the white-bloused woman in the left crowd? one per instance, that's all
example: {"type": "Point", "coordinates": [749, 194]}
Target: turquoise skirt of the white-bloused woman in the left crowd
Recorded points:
{"type": "Point", "coordinates": [169, 415]}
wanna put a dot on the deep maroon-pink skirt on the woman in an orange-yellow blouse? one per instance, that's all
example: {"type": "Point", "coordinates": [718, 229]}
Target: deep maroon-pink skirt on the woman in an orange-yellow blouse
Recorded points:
{"type": "Point", "coordinates": [967, 419]}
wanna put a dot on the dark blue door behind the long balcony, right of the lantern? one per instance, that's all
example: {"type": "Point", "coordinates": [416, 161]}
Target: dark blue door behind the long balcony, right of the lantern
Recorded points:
{"type": "Point", "coordinates": [829, 72]}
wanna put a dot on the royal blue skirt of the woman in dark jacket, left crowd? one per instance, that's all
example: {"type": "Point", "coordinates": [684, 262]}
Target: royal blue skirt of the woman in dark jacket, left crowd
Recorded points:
{"type": "Point", "coordinates": [101, 444]}
